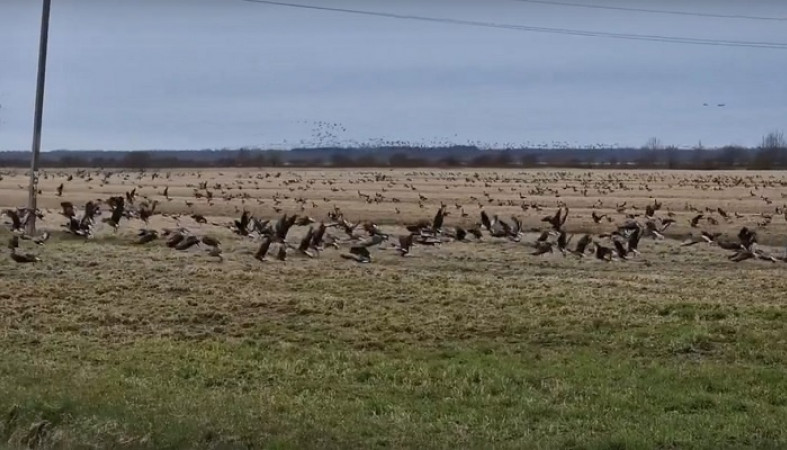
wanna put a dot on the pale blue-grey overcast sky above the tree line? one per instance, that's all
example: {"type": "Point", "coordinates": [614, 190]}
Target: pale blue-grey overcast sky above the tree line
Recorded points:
{"type": "Point", "coordinates": [194, 74]}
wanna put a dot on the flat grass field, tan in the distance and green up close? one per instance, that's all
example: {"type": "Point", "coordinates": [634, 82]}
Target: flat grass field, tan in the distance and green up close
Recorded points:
{"type": "Point", "coordinates": [105, 344]}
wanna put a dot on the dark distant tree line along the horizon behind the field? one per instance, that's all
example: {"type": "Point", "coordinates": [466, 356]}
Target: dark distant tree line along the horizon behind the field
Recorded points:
{"type": "Point", "coordinates": [771, 154]}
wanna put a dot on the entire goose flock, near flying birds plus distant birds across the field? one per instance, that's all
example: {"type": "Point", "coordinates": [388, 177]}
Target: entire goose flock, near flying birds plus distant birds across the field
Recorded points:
{"type": "Point", "coordinates": [357, 241]}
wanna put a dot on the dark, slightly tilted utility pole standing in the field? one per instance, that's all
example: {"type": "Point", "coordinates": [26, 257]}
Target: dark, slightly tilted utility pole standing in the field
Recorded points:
{"type": "Point", "coordinates": [39, 112]}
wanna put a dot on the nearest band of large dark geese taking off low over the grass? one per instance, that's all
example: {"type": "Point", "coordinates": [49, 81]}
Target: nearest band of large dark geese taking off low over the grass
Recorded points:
{"type": "Point", "coordinates": [361, 238]}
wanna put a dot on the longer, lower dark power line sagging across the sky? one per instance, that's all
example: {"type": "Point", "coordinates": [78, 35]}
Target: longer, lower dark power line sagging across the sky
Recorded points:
{"type": "Point", "coordinates": [564, 31]}
